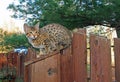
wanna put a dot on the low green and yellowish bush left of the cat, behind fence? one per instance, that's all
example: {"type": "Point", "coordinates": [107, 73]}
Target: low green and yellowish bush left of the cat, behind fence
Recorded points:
{"type": "Point", "coordinates": [10, 41]}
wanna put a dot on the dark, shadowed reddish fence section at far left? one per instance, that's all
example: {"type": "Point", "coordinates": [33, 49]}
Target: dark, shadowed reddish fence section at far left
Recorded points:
{"type": "Point", "coordinates": [8, 67]}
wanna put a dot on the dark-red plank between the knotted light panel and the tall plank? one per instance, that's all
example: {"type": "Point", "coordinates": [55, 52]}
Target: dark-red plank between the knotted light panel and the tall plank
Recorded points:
{"type": "Point", "coordinates": [66, 65]}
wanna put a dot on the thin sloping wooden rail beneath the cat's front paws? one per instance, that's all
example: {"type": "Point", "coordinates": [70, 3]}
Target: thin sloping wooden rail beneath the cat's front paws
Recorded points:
{"type": "Point", "coordinates": [42, 57]}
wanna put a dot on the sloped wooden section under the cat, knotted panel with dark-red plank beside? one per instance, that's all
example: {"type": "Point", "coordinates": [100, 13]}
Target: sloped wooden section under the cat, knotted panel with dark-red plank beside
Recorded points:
{"type": "Point", "coordinates": [55, 67]}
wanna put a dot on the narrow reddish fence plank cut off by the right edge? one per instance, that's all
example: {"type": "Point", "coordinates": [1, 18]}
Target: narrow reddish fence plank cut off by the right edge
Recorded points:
{"type": "Point", "coordinates": [117, 58]}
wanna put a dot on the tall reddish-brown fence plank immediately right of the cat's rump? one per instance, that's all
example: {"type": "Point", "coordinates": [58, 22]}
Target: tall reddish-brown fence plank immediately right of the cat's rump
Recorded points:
{"type": "Point", "coordinates": [80, 56]}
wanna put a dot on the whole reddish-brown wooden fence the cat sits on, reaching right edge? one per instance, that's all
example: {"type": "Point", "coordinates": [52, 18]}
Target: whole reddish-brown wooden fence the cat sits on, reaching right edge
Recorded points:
{"type": "Point", "coordinates": [70, 65]}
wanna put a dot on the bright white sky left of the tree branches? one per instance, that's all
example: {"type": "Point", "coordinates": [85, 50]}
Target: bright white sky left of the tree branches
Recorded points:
{"type": "Point", "coordinates": [5, 16]}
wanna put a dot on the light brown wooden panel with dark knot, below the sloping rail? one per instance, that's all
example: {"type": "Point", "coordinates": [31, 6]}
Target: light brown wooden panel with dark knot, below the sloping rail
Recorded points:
{"type": "Point", "coordinates": [46, 70]}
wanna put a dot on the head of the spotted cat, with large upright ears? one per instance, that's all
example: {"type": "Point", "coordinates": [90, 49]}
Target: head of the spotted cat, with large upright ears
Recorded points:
{"type": "Point", "coordinates": [31, 32]}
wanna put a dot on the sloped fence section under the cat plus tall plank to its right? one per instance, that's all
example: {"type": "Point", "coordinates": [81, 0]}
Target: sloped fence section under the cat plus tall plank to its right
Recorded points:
{"type": "Point", "coordinates": [63, 66]}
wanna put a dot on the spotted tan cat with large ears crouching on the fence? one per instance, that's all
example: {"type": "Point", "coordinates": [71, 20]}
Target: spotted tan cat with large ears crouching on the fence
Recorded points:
{"type": "Point", "coordinates": [49, 38]}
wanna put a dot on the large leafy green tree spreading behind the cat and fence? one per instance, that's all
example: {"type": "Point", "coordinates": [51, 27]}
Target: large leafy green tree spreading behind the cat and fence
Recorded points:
{"type": "Point", "coordinates": [70, 13]}
